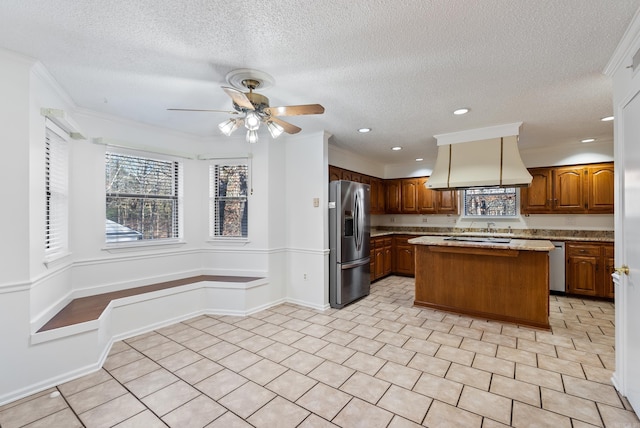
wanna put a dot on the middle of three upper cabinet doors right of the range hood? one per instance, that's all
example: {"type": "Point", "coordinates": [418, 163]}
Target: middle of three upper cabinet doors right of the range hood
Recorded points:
{"type": "Point", "coordinates": [569, 190]}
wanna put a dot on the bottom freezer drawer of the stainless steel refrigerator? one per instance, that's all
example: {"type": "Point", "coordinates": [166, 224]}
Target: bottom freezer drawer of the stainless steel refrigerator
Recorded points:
{"type": "Point", "coordinates": [351, 282]}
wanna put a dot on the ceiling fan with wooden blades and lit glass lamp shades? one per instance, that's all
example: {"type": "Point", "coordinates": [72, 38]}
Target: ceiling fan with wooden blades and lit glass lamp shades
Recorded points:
{"type": "Point", "coordinates": [255, 107]}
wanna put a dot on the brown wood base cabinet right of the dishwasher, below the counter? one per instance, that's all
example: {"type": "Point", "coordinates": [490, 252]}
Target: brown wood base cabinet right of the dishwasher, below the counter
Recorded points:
{"type": "Point", "coordinates": [589, 268]}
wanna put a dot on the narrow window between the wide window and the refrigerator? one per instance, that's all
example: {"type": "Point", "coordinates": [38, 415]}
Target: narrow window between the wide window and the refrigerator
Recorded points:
{"type": "Point", "coordinates": [228, 200]}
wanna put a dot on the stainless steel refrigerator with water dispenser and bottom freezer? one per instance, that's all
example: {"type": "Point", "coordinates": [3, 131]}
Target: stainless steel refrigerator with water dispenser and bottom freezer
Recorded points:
{"type": "Point", "coordinates": [349, 233]}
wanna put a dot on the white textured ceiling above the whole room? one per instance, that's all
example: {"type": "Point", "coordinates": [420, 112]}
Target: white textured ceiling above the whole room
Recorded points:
{"type": "Point", "coordinates": [398, 67]}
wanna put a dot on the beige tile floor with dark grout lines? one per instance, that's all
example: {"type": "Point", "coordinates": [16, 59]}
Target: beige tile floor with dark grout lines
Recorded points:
{"type": "Point", "coordinates": [379, 362]}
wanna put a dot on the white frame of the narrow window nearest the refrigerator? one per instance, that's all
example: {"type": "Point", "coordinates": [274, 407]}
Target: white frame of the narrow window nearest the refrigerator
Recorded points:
{"type": "Point", "coordinates": [213, 199]}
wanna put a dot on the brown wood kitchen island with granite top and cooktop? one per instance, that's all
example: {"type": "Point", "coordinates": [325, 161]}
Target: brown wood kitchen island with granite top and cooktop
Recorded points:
{"type": "Point", "coordinates": [500, 279]}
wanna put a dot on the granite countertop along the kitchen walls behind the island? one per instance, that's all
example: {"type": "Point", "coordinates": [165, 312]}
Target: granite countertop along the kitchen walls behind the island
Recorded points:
{"type": "Point", "coordinates": [515, 234]}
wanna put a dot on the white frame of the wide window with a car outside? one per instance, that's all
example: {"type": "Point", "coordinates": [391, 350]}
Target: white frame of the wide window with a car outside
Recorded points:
{"type": "Point", "coordinates": [178, 188]}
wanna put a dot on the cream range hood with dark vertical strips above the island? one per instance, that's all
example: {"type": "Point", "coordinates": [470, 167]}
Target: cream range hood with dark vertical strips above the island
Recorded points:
{"type": "Point", "coordinates": [484, 157]}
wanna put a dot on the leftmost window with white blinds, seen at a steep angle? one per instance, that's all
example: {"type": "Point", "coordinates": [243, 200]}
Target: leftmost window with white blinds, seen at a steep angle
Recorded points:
{"type": "Point", "coordinates": [56, 190]}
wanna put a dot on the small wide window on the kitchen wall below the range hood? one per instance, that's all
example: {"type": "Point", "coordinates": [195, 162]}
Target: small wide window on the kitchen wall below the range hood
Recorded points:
{"type": "Point", "coordinates": [491, 202]}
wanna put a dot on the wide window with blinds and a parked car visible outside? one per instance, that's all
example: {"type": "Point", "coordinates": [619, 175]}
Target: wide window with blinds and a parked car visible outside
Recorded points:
{"type": "Point", "coordinates": [142, 198]}
